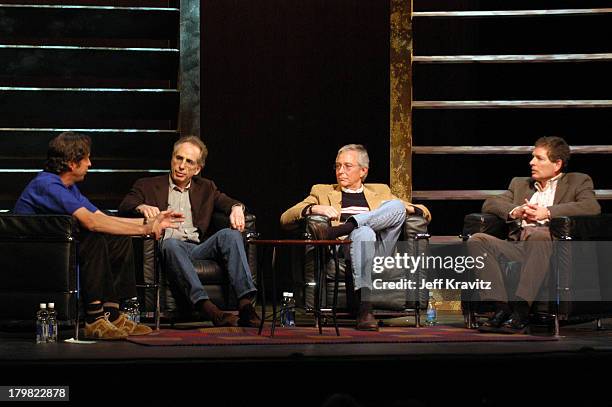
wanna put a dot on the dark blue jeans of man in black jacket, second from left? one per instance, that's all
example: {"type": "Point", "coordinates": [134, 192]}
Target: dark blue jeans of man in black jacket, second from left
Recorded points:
{"type": "Point", "coordinates": [225, 246]}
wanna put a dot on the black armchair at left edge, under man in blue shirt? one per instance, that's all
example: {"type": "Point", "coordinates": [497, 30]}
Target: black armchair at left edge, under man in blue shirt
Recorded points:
{"type": "Point", "coordinates": [39, 264]}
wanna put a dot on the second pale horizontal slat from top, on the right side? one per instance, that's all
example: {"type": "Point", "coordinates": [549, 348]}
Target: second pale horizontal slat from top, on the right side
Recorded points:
{"type": "Point", "coordinates": [496, 59]}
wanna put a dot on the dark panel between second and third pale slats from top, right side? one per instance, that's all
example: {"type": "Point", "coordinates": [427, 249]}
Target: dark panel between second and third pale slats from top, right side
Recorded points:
{"type": "Point", "coordinates": [509, 82]}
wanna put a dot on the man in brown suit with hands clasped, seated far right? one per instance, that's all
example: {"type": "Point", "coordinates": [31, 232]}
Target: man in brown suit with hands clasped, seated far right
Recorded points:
{"type": "Point", "coordinates": [528, 206]}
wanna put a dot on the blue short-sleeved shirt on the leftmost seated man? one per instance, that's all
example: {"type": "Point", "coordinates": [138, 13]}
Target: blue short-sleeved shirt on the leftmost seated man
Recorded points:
{"type": "Point", "coordinates": [47, 194]}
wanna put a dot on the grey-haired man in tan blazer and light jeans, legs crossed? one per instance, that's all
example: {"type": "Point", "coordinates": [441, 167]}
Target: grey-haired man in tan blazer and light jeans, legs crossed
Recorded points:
{"type": "Point", "coordinates": [363, 212]}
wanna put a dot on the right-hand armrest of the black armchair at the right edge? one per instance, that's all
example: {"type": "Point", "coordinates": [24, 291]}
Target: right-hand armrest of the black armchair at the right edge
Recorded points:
{"type": "Point", "coordinates": [595, 227]}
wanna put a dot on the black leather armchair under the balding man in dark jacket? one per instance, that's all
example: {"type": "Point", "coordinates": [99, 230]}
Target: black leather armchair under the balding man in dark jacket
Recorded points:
{"type": "Point", "coordinates": [173, 303]}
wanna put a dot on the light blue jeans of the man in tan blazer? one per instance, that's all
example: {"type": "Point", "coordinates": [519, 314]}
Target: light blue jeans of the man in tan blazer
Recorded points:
{"type": "Point", "coordinates": [376, 235]}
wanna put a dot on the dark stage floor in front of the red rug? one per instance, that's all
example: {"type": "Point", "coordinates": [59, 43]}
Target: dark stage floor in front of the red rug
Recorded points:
{"type": "Point", "coordinates": [480, 374]}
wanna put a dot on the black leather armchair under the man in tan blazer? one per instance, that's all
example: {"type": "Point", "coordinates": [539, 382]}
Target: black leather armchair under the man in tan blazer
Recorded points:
{"type": "Point", "coordinates": [385, 302]}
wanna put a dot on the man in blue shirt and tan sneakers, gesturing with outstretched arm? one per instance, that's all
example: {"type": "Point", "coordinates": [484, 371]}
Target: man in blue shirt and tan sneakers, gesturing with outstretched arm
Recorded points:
{"type": "Point", "coordinates": [106, 260]}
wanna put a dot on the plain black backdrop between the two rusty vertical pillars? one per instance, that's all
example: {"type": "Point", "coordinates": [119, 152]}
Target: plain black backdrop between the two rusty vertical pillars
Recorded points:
{"type": "Point", "coordinates": [285, 83]}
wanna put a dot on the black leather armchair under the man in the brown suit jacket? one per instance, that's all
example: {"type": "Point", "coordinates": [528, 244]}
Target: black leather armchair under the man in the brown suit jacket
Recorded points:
{"type": "Point", "coordinates": [567, 282]}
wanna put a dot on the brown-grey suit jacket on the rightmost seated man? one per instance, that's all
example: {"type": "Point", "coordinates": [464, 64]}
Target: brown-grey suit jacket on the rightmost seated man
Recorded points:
{"type": "Point", "coordinates": [574, 196]}
